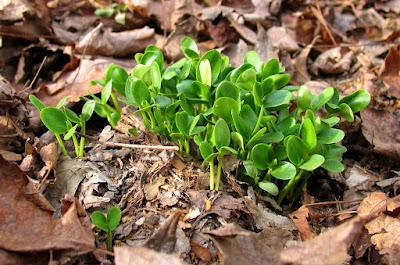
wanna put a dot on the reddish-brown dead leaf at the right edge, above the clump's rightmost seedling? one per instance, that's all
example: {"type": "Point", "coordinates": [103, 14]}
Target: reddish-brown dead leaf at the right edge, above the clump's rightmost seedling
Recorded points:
{"type": "Point", "coordinates": [390, 73]}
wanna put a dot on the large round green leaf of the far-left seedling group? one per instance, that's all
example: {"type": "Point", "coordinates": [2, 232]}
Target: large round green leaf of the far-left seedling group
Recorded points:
{"type": "Point", "coordinates": [54, 119]}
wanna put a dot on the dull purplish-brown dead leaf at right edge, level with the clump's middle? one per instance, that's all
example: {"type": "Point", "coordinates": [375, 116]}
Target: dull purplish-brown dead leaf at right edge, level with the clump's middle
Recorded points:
{"type": "Point", "coordinates": [380, 128]}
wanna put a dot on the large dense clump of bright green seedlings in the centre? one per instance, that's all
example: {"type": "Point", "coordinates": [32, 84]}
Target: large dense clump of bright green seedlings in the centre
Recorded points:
{"type": "Point", "coordinates": [279, 132]}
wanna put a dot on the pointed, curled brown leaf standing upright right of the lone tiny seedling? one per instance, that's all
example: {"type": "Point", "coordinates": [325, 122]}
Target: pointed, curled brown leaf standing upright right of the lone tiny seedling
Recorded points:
{"type": "Point", "coordinates": [164, 238]}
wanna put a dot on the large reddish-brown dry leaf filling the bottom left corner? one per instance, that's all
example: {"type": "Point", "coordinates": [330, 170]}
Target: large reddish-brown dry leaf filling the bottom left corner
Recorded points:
{"type": "Point", "coordinates": [26, 227]}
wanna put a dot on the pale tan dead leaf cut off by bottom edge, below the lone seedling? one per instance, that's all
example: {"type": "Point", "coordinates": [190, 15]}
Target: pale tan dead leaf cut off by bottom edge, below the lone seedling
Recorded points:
{"type": "Point", "coordinates": [143, 256]}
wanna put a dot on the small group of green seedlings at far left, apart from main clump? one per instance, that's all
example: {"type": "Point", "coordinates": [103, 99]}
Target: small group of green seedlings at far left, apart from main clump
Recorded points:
{"type": "Point", "coordinates": [63, 121]}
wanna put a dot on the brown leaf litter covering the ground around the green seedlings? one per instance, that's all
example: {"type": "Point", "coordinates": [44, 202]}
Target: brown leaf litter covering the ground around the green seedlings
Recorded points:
{"type": "Point", "coordinates": [55, 48]}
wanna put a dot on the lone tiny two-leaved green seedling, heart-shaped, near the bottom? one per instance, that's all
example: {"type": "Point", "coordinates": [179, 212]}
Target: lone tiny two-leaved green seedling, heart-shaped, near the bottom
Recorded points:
{"type": "Point", "coordinates": [107, 223]}
